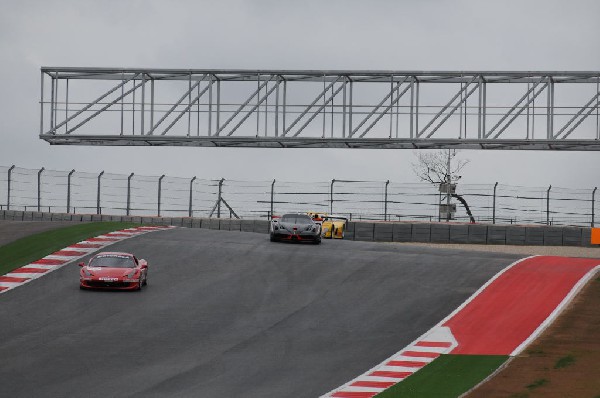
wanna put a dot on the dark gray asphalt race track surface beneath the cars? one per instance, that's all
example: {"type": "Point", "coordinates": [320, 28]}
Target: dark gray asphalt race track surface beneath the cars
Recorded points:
{"type": "Point", "coordinates": [230, 314]}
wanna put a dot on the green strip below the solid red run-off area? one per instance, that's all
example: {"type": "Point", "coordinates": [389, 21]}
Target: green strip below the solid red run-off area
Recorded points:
{"type": "Point", "coordinates": [447, 376]}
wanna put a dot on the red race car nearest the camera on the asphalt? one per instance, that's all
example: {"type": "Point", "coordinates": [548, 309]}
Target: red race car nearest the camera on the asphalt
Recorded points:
{"type": "Point", "coordinates": [113, 270]}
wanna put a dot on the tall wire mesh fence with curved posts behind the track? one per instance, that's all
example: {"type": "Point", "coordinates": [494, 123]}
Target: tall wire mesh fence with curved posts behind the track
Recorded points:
{"type": "Point", "coordinates": [132, 194]}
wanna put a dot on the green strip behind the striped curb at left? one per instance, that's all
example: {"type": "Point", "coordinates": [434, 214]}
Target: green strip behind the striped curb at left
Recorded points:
{"type": "Point", "coordinates": [31, 248]}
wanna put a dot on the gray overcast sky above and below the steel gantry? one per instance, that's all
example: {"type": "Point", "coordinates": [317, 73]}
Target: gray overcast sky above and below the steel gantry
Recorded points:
{"type": "Point", "coordinates": [271, 34]}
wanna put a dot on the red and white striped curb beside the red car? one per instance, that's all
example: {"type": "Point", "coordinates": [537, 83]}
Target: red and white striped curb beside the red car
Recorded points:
{"type": "Point", "coordinates": [56, 260]}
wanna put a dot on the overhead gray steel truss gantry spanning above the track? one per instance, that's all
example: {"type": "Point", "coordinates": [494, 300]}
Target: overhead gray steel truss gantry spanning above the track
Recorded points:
{"type": "Point", "coordinates": [321, 108]}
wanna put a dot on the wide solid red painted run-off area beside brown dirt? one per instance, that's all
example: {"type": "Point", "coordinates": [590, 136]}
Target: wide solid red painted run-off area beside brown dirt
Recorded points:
{"type": "Point", "coordinates": [508, 311]}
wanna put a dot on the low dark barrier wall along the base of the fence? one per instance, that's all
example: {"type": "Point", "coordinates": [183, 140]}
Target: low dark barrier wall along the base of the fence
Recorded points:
{"type": "Point", "coordinates": [361, 231]}
